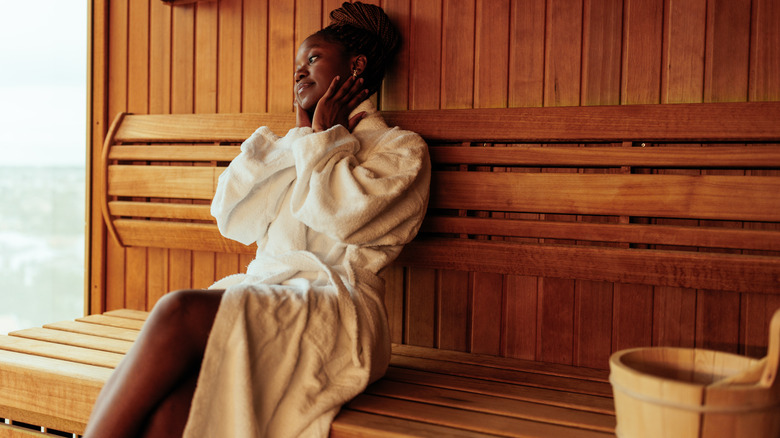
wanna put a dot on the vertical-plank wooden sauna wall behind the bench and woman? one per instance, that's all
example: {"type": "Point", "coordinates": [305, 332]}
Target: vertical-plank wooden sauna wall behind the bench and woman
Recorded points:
{"type": "Point", "coordinates": [237, 56]}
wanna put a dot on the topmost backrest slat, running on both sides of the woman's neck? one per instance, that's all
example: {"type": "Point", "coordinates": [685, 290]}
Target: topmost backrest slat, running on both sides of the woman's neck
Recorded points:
{"type": "Point", "coordinates": [753, 121]}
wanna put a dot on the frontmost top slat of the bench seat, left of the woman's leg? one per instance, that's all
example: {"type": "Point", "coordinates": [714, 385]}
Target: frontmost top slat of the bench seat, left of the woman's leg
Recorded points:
{"type": "Point", "coordinates": [68, 353]}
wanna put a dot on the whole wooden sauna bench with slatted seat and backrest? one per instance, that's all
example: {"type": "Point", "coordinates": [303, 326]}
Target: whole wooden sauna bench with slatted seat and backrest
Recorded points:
{"type": "Point", "coordinates": [661, 195]}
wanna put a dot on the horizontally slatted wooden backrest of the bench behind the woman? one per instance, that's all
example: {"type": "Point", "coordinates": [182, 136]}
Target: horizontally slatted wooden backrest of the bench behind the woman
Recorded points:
{"type": "Point", "coordinates": [679, 195]}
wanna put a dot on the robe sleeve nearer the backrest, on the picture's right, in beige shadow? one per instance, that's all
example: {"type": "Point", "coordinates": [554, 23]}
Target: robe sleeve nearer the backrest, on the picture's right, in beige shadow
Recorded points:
{"type": "Point", "coordinates": [377, 199]}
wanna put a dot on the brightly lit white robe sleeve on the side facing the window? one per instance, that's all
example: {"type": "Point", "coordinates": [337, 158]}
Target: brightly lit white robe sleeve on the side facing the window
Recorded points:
{"type": "Point", "coordinates": [250, 191]}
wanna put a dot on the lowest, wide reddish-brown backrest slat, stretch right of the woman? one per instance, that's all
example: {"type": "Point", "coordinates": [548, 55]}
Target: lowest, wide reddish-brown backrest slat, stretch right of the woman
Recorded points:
{"type": "Point", "coordinates": [733, 272]}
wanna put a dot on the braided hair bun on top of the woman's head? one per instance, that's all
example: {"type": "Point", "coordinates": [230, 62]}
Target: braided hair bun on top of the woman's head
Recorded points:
{"type": "Point", "coordinates": [369, 18]}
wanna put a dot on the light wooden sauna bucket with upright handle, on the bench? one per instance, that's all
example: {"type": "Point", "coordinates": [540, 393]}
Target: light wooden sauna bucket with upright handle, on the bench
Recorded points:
{"type": "Point", "coordinates": [691, 393]}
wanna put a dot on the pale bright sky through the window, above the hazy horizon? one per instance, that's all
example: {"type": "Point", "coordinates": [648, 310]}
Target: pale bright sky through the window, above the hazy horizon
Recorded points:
{"type": "Point", "coordinates": [43, 63]}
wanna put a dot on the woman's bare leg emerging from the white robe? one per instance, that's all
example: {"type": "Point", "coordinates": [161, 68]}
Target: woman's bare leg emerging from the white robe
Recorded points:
{"type": "Point", "coordinates": [164, 359]}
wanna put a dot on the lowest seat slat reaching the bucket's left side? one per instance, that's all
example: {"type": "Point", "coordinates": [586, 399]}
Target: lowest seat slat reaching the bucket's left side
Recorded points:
{"type": "Point", "coordinates": [492, 404]}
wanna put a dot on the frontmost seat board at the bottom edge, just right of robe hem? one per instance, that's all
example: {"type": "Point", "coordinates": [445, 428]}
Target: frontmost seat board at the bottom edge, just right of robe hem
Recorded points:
{"type": "Point", "coordinates": [355, 424]}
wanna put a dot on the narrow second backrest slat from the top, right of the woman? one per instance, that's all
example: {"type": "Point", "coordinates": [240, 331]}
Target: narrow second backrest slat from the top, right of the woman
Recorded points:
{"type": "Point", "coordinates": [669, 156]}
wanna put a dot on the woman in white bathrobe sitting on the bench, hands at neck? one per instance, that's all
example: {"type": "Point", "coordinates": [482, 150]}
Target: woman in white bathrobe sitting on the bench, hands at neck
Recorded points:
{"type": "Point", "coordinates": [278, 350]}
